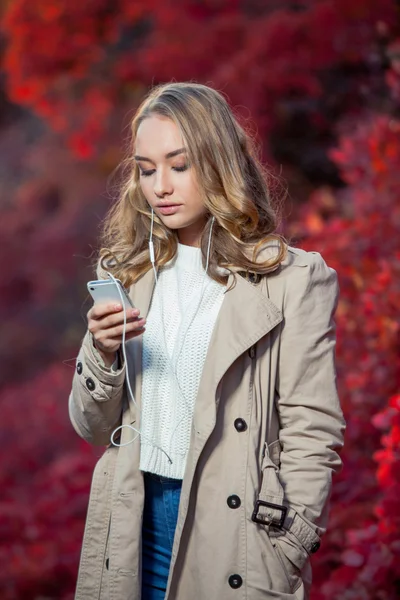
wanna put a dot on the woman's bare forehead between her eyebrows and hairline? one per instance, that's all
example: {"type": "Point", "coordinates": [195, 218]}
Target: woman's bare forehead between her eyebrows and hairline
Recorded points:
{"type": "Point", "coordinates": [156, 136]}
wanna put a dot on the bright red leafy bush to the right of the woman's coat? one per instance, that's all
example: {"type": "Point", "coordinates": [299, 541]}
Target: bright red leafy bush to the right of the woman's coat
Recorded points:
{"type": "Point", "coordinates": [358, 232]}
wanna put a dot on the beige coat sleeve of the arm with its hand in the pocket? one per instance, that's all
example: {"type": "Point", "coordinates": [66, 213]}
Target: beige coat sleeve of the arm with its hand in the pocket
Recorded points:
{"type": "Point", "coordinates": [312, 424]}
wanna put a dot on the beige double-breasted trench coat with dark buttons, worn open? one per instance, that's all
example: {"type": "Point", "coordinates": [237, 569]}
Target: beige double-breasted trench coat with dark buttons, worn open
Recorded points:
{"type": "Point", "coordinates": [270, 363]}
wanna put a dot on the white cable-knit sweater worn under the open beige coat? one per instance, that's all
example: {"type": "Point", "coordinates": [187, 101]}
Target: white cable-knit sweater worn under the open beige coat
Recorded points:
{"type": "Point", "coordinates": [180, 322]}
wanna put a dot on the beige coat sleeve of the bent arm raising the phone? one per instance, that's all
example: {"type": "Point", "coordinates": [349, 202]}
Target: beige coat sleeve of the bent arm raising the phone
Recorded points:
{"type": "Point", "coordinates": [96, 399]}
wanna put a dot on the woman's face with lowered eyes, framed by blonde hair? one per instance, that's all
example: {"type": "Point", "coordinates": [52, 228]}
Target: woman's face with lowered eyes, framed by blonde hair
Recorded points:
{"type": "Point", "coordinates": [167, 180]}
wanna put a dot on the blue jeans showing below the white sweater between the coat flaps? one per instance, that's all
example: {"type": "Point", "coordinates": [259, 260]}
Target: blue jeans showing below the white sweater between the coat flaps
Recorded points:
{"type": "Point", "coordinates": [160, 515]}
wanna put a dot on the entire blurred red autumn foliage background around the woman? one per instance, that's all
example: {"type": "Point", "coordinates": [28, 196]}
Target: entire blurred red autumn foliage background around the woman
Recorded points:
{"type": "Point", "coordinates": [319, 83]}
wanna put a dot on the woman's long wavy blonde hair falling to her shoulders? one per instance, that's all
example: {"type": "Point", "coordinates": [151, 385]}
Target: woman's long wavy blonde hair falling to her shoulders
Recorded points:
{"type": "Point", "coordinates": [232, 181]}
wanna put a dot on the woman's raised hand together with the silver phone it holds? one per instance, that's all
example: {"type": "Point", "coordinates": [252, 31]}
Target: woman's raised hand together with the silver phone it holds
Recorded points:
{"type": "Point", "coordinates": [106, 317]}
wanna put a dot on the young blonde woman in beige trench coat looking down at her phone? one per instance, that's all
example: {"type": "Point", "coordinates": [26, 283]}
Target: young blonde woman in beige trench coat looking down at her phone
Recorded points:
{"type": "Point", "coordinates": [217, 487]}
